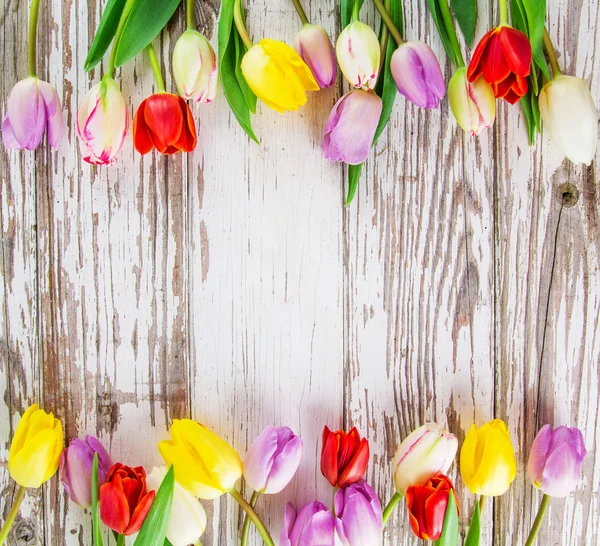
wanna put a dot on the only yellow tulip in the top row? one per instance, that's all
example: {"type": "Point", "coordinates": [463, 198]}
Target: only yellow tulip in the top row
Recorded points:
{"type": "Point", "coordinates": [277, 75]}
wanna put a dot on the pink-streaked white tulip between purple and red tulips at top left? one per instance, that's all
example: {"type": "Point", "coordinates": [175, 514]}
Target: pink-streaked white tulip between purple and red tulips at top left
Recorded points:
{"type": "Point", "coordinates": [102, 122]}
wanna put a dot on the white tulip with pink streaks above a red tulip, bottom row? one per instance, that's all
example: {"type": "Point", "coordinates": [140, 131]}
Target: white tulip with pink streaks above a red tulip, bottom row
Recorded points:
{"type": "Point", "coordinates": [425, 452]}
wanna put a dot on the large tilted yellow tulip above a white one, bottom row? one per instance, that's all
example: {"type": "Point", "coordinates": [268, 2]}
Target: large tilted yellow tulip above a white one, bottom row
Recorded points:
{"type": "Point", "coordinates": [204, 464]}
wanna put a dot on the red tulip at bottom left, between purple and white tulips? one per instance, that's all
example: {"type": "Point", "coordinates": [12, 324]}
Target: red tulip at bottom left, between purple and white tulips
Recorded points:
{"type": "Point", "coordinates": [124, 502]}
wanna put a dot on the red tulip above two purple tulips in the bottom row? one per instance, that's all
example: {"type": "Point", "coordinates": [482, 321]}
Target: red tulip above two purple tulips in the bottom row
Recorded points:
{"type": "Point", "coordinates": [344, 457]}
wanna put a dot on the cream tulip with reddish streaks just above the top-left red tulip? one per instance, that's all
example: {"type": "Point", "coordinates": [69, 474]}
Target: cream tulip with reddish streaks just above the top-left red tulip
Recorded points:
{"type": "Point", "coordinates": [195, 67]}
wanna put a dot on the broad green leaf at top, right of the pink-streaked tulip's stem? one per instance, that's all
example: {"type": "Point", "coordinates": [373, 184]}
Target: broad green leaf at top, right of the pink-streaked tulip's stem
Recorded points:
{"type": "Point", "coordinates": [146, 20]}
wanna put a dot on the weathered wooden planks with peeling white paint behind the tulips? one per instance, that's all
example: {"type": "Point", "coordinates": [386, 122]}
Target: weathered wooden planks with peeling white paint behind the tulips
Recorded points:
{"type": "Point", "coordinates": [232, 286]}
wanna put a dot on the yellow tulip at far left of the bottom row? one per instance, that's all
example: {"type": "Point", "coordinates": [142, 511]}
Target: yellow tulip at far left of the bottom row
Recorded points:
{"type": "Point", "coordinates": [35, 450]}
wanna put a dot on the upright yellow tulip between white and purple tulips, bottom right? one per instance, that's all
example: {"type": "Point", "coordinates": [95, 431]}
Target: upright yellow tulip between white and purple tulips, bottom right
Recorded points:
{"type": "Point", "coordinates": [487, 459]}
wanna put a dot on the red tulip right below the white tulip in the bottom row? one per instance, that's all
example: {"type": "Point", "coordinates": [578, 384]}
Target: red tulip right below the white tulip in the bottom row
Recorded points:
{"type": "Point", "coordinates": [427, 506]}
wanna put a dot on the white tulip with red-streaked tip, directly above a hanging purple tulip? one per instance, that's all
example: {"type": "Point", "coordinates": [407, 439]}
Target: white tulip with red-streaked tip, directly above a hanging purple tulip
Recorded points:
{"type": "Point", "coordinates": [359, 55]}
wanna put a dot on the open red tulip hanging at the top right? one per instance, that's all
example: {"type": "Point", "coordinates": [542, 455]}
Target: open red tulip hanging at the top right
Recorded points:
{"type": "Point", "coordinates": [503, 58]}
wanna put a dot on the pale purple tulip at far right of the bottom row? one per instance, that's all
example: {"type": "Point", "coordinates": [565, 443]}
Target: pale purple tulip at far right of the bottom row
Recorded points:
{"type": "Point", "coordinates": [555, 460]}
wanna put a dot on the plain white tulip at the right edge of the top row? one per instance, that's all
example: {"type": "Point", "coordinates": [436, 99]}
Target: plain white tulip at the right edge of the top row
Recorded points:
{"type": "Point", "coordinates": [570, 117]}
